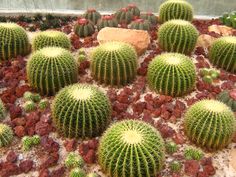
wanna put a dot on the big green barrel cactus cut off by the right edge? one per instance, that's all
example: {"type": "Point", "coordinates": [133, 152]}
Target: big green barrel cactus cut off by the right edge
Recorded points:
{"type": "Point", "coordinates": [223, 53]}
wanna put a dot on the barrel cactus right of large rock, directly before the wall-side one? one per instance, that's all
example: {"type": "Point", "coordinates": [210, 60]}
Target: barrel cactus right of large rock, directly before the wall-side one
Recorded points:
{"type": "Point", "coordinates": [177, 36]}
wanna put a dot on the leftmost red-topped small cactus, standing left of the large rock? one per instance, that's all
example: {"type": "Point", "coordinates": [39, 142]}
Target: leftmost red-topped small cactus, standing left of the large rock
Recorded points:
{"type": "Point", "coordinates": [84, 28]}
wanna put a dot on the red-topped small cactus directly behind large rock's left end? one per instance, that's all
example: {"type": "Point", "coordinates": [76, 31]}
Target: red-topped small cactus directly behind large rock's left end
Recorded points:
{"type": "Point", "coordinates": [107, 21]}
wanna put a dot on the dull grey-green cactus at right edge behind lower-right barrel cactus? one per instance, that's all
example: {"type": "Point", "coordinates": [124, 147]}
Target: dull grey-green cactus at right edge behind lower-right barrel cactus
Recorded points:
{"type": "Point", "coordinates": [228, 97]}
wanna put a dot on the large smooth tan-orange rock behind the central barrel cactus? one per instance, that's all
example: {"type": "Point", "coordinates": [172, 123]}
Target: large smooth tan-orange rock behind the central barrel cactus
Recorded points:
{"type": "Point", "coordinates": [138, 38]}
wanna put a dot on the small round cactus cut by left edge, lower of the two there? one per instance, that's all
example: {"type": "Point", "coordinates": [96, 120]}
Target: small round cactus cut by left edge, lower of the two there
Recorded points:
{"type": "Point", "coordinates": [6, 135]}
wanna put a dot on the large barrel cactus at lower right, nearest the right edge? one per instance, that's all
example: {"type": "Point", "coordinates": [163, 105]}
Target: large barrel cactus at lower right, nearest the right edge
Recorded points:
{"type": "Point", "coordinates": [210, 124]}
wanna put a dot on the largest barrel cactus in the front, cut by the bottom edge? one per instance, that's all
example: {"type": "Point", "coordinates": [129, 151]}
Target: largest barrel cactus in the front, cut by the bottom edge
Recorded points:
{"type": "Point", "coordinates": [131, 148]}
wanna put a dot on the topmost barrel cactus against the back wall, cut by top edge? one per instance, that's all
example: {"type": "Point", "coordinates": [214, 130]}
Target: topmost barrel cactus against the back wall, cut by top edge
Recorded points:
{"type": "Point", "coordinates": [175, 9]}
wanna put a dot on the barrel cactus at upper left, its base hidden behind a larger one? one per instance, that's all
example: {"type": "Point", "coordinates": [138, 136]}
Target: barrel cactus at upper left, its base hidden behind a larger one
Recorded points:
{"type": "Point", "coordinates": [51, 38]}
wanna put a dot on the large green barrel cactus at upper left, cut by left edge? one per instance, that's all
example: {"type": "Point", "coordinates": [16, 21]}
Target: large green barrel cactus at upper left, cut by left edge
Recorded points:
{"type": "Point", "coordinates": [14, 41]}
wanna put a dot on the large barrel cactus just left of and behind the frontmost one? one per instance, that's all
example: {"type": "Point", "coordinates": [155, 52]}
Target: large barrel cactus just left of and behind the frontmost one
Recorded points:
{"type": "Point", "coordinates": [81, 111]}
